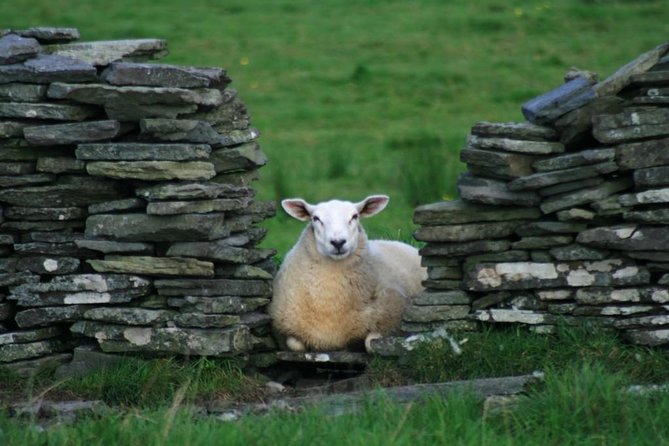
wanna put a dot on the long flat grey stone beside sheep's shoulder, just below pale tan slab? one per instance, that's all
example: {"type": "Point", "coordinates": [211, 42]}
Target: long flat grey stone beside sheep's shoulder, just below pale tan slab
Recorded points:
{"type": "Point", "coordinates": [213, 287]}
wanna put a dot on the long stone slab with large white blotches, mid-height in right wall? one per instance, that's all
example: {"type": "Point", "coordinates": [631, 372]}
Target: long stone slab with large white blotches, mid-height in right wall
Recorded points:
{"type": "Point", "coordinates": [529, 275]}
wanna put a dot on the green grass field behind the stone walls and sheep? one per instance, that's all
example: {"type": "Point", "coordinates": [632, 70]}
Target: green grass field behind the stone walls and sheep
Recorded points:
{"type": "Point", "coordinates": [376, 96]}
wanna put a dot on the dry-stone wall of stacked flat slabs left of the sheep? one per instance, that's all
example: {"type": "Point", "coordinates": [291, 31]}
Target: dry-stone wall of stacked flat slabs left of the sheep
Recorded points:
{"type": "Point", "coordinates": [127, 213]}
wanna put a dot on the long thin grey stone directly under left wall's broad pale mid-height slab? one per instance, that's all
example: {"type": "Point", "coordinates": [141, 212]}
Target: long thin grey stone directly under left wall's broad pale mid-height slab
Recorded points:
{"type": "Point", "coordinates": [192, 191]}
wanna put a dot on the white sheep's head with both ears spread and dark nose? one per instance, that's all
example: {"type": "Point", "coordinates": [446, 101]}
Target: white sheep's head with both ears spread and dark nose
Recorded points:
{"type": "Point", "coordinates": [336, 223]}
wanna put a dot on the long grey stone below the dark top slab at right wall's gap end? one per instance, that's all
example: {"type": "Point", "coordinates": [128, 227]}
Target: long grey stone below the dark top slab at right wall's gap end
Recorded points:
{"type": "Point", "coordinates": [466, 232]}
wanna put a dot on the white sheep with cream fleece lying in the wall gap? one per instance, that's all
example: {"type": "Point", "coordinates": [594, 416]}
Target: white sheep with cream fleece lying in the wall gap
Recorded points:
{"type": "Point", "coordinates": [335, 287]}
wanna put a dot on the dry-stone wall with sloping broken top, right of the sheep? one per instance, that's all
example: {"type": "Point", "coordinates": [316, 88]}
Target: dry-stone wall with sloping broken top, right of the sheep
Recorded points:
{"type": "Point", "coordinates": [564, 217]}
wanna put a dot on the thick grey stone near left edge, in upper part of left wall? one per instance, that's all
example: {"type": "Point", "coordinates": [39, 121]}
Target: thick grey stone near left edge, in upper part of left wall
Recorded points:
{"type": "Point", "coordinates": [60, 134]}
